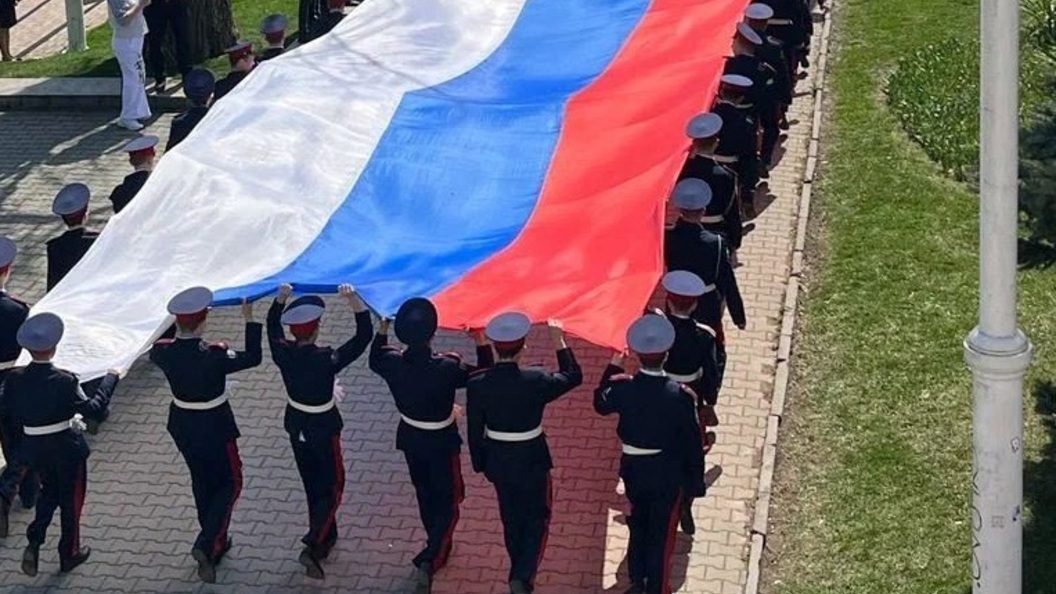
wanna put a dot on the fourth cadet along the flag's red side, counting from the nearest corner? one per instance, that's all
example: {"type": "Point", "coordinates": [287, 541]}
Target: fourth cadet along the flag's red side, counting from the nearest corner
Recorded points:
{"type": "Point", "coordinates": [723, 213]}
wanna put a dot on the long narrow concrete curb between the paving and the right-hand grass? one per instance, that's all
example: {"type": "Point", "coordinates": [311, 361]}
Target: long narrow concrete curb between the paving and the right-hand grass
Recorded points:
{"type": "Point", "coordinates": [761, 518]}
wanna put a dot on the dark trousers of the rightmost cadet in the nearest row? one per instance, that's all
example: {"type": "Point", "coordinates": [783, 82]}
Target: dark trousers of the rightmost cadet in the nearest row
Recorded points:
{"type": "Point", "coordinates": [653, 522]}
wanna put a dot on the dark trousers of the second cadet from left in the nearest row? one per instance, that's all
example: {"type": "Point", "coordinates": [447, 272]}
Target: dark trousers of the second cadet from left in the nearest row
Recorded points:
{"type": "Point", "coordinates": [217, 484]}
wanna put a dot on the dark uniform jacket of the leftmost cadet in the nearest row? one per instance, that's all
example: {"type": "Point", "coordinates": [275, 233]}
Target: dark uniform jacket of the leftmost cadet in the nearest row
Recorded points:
{"type": "Point", "coordinates": [42, 395]}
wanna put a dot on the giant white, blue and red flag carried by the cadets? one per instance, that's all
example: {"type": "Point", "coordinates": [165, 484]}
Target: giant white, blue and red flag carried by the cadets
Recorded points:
{"type": "Point", "coordinates": [492, 156]}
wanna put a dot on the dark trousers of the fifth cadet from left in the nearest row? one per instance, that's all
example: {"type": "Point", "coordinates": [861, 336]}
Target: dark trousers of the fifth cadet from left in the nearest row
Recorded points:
{"type": "Point", "coordinates": [524, 504]}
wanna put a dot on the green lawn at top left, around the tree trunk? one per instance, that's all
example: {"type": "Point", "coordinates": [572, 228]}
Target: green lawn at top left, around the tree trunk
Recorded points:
{"type": "Point", "coordinates": [99, 61]}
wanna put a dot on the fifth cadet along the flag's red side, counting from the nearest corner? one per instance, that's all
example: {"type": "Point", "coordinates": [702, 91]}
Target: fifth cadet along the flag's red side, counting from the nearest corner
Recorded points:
{"type": "Point", "coordinates": [739, 139]}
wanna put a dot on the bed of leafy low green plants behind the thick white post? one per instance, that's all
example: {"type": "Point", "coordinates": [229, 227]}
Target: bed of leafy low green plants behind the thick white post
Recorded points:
{"type": "Point", "coordinates": [935, 95]}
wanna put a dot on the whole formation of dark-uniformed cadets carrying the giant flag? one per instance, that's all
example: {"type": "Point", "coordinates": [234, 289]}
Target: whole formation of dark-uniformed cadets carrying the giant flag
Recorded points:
{"type": "Point", "coordinates": [666, 410]}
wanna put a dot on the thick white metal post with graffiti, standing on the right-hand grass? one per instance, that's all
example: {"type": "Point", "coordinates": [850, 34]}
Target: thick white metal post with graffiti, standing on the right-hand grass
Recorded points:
{"type": "Point", "coordinates": [997, 351]}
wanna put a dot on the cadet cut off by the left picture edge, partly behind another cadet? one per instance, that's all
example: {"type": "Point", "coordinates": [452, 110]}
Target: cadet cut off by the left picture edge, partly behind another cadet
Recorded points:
{"type": "Point", "coordinates": [16, 477]}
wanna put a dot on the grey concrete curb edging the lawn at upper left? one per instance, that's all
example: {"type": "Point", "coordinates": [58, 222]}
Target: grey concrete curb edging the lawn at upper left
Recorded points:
{"type": "Point", "coordinates": [78, 95]}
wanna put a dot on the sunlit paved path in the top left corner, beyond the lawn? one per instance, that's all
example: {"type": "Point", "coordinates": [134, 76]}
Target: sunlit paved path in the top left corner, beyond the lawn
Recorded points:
{"type": "Point", "coordinates": [42, 29]}
